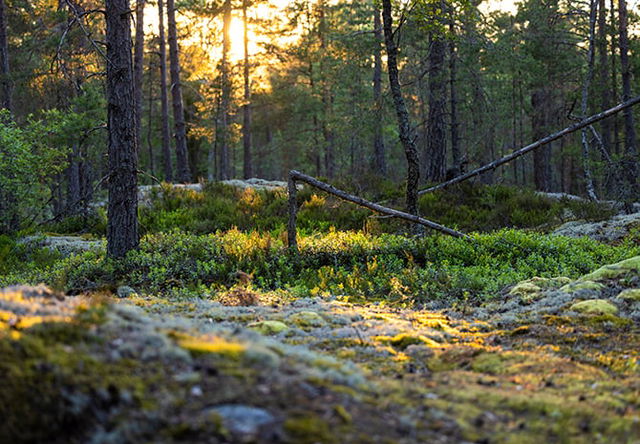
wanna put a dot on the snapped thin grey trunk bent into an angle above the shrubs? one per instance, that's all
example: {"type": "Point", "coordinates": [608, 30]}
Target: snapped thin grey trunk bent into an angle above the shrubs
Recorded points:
{"type": "Point", "coordinates": [293, 207]}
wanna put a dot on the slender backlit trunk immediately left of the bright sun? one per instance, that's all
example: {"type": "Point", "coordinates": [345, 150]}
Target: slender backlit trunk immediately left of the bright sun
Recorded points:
{"type": "Point", "coordinates": [225, 103]}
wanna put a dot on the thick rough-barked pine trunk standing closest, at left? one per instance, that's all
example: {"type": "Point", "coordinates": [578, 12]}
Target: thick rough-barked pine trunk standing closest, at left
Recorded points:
{"type": "Point", "coordinates": [122, 213]}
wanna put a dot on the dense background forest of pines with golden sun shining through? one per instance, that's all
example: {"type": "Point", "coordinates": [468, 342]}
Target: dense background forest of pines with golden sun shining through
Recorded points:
{"type": "Point", "coordinates": [239, 89]}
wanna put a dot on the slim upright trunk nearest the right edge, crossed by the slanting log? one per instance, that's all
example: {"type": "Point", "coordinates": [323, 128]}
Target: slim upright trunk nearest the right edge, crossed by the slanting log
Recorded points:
{"type": "Point", "coordinates": [631, 151]}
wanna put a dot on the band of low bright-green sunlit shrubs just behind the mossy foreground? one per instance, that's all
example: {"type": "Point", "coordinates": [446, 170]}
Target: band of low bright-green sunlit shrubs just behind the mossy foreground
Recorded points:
{"type": "Point", "coordinates": [349, 265]}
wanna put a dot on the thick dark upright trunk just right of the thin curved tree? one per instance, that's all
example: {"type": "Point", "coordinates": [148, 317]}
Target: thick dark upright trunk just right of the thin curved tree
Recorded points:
{"type": "Point", "coordinates": [435, 154]}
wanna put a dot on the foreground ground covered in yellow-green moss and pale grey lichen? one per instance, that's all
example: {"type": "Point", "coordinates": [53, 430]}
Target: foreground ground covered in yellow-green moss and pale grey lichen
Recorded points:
{"type": "Point", "coordinates": [556, 360]}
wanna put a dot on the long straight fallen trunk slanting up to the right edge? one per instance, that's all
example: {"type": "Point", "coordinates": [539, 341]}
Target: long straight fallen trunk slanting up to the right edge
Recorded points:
{"type": "Point", "coordinates": [535, 145]}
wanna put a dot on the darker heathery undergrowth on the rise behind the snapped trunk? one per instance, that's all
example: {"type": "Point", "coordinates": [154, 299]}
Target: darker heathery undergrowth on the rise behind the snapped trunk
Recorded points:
{"type": "Point", "coordinates": [468, 207]}
